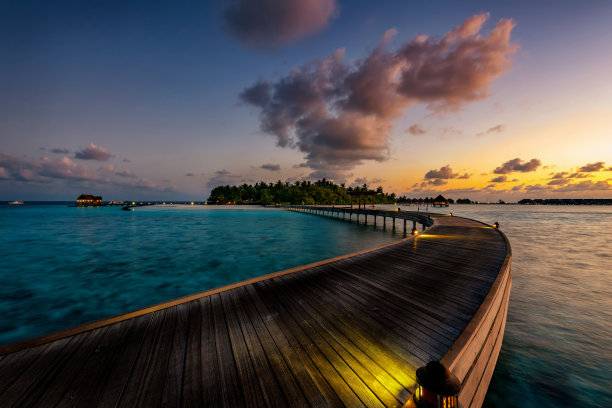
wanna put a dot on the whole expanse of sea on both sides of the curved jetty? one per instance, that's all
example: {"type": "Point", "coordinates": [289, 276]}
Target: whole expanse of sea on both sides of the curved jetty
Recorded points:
{"type": "Point", "coordinates": [61, 267]}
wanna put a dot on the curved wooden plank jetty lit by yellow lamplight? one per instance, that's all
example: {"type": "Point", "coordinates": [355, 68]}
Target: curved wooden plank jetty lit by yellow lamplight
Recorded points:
{"type": "Point", "coordinates": [350, 331]}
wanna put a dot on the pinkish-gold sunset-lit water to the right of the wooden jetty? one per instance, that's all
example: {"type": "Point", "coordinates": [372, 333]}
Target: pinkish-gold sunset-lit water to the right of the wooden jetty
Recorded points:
{"type": "Point", "coordinates": [557, 349]}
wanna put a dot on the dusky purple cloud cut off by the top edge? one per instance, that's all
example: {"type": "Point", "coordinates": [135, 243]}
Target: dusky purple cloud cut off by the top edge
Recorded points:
{"type": "Point", "coordinates": [270, 23]}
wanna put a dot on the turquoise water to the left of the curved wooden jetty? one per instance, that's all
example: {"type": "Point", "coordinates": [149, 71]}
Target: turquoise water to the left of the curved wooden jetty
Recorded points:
{"type": "Point", "coordinates": [62, 266]}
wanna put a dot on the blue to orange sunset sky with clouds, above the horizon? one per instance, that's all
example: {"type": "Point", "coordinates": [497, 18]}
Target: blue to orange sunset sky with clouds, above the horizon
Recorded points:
{"type": "Point", "coordinates": [165, 100]}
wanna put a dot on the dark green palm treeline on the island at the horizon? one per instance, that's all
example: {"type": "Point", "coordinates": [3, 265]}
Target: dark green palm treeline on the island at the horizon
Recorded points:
{"type": "Point", "coordinates": [308, 193]}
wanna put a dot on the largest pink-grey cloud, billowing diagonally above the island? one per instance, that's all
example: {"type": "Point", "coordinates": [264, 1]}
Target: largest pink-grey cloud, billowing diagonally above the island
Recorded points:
{"type": "Point", "coordinates": [340, 114]}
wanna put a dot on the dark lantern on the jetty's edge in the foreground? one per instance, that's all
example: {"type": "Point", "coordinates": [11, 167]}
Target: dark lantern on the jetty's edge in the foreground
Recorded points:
{"type": "Point", "coordinates": [438, 388]}
